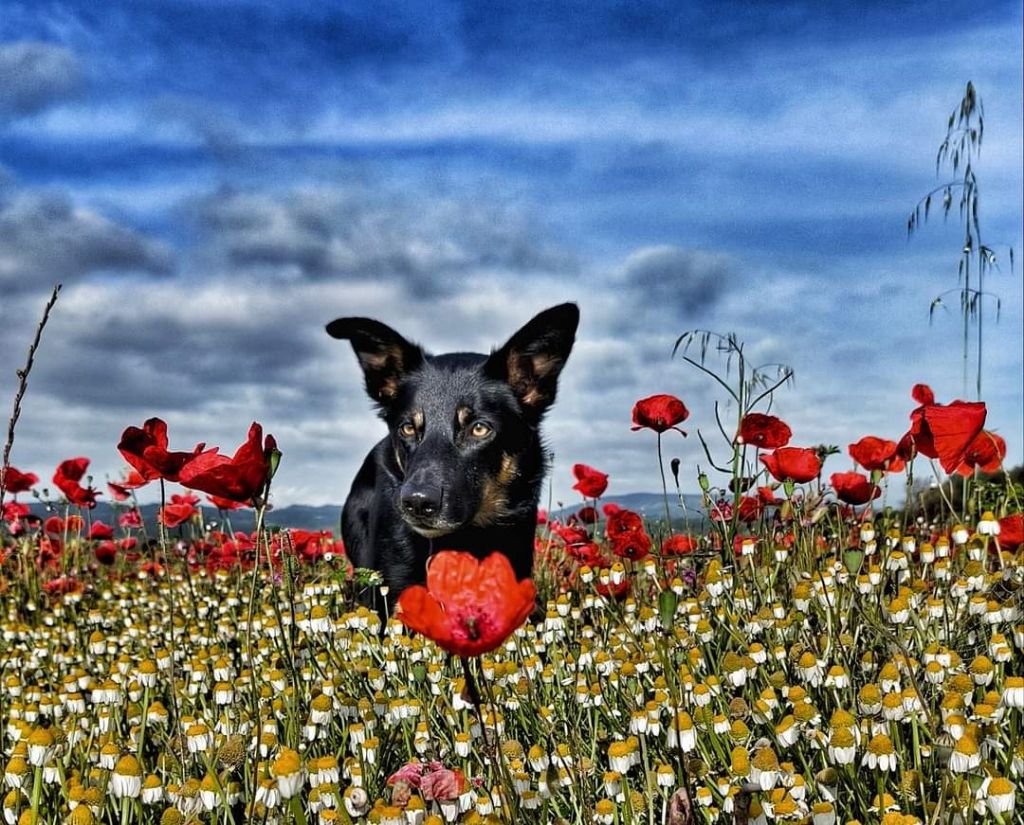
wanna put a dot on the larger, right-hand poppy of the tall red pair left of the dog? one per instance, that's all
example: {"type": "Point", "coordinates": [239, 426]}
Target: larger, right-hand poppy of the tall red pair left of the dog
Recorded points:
{"type": "Point", "coordinates": [240, 479]}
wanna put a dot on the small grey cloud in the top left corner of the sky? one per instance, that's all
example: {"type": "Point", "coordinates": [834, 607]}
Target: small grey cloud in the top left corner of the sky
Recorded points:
{"type": "Point", "coordinates": [34, 76]}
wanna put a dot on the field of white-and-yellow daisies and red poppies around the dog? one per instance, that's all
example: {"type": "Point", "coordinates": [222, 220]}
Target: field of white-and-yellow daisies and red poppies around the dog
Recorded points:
{"type": "Point", "coordinates": [799, 652]}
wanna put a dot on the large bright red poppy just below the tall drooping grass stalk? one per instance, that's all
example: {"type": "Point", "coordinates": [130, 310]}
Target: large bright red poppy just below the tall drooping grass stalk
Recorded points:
{"type": "Point", "coordinates": [943, 431]}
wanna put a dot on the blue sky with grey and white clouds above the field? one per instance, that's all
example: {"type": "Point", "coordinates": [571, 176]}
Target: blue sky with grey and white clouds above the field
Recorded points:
{"type": "Point", "coordinates": [212, 183]}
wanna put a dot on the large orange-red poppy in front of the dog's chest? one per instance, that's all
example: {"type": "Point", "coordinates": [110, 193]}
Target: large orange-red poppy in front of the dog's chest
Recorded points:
{"type": "Point", "coordinates": [468, 607]}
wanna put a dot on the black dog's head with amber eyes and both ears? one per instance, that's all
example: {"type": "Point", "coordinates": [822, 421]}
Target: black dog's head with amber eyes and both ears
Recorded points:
{"type": "Point", "coordinates": [463, 426]}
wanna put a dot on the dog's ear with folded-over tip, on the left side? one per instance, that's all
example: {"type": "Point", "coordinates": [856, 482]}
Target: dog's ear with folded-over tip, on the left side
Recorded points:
{"type": "Point", "coordinates": [385, 356]}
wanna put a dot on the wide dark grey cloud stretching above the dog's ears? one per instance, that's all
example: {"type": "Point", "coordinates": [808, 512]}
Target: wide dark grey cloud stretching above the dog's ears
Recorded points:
{"type": "Point", "coordinates": [430, 246]}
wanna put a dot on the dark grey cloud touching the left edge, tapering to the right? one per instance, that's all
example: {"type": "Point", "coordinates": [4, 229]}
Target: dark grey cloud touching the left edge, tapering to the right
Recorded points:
{"type": "Point", "coordinates": [47, 238]}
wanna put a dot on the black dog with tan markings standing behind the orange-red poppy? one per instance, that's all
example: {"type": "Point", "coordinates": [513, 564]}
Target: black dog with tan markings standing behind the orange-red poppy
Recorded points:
{"type": "Point", "coordinates": [463, 463]}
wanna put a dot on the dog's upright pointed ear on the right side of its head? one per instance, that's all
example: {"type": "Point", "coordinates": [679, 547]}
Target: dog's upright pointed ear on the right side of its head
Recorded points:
{"type": "Point", "coordinates": [533, 359]}
